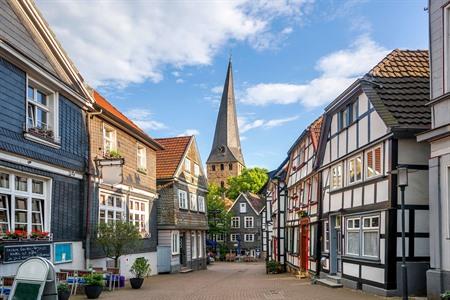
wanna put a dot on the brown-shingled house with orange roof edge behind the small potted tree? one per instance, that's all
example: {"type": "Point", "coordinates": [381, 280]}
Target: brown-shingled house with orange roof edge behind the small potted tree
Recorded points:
{"type": "Point", "coordinates": [131, 196]}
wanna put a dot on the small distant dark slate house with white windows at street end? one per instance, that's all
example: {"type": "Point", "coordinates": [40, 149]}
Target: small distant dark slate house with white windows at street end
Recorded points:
{"type": "Point", "coordinates": [246, 225]}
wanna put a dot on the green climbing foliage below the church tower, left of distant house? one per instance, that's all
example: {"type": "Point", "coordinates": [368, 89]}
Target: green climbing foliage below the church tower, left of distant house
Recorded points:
{"type": "Point", "coordinates": [218, 218]}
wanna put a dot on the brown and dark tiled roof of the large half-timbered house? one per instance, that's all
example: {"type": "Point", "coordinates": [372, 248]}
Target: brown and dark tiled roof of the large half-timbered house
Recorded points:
{"type": "Point", "coordinates": [398, 88]}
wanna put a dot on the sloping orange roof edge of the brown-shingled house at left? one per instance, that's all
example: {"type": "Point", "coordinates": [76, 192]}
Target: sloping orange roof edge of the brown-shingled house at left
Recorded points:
{"type": "Point", "coordinates": [114, 113]}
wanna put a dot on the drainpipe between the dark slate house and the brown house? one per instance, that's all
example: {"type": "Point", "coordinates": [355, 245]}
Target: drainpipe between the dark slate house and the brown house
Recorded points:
{"type": "Point", "coordinates": [90, 186]}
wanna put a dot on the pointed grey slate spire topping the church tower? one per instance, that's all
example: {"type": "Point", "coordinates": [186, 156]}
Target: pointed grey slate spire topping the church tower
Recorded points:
{"type": "Point", "coordinates": [227, 145]}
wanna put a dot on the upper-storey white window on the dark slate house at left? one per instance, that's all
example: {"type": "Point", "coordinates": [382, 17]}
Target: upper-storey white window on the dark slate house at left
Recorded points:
{"type": "Point", "coordinates": [52, 107]}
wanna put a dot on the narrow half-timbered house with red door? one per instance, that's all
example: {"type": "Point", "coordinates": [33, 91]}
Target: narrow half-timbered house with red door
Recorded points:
{"type": "Point", "coordinates": [302, 214]}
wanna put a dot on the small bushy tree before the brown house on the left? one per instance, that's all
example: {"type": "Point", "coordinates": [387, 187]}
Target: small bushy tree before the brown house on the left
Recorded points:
{"type": "Point", "coordinates": [117, 238]}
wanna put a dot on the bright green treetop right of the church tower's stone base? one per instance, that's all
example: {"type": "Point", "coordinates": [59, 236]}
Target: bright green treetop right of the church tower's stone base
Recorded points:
{"type": "Point", "coordinates": [250, 180]}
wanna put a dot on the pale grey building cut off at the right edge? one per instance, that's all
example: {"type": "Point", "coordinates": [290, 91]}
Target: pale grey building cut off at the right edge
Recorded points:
{"type": "Point", "coordinates": [438, 277]}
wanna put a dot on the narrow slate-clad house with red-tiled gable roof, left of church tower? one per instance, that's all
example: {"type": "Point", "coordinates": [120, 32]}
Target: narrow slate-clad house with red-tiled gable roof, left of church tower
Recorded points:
{"type": "Point", "coordinates": [182, 211]}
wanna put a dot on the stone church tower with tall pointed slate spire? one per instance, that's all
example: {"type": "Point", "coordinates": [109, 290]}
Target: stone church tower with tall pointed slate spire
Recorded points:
{"type": "Point", "coordinates": [226, 159]}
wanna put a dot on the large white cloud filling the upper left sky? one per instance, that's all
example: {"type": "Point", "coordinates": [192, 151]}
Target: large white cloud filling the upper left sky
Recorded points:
{"type": "Point", "coordinates": [122, 42]}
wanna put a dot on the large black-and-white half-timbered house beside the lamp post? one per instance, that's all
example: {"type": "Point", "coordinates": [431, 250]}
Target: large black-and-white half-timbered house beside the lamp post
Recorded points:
{"type": "Point", "coordinates": [368, 132]}
